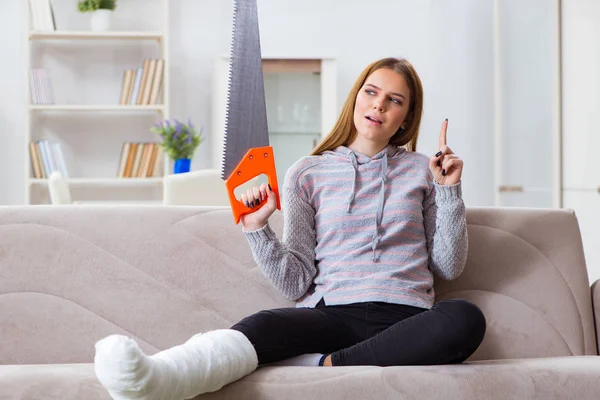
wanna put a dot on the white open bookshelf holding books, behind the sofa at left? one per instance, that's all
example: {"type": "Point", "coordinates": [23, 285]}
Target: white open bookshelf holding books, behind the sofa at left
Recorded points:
{"type": "Point", "coordinates": [86, 70]}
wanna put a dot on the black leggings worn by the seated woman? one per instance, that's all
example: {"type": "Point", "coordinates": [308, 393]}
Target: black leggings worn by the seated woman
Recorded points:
{"type": "Point", "coordinates": [370, 333]}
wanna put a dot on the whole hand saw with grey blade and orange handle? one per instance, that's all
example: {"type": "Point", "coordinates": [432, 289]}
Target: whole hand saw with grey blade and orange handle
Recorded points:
{"type": "Point", "coordinates": [246, 153]}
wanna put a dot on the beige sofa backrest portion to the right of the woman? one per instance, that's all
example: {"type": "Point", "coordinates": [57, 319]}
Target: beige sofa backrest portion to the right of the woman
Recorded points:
{"type": "Point", "coordinates": [526, 270]}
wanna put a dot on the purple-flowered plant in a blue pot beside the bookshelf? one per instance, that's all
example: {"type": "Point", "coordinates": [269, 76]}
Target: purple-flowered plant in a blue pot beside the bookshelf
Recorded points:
{"type": "Point", "coordinates": [179, 141]}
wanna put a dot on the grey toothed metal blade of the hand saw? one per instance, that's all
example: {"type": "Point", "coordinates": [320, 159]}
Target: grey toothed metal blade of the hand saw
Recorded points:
{"type": "Point", "coordinates": [246, 114]}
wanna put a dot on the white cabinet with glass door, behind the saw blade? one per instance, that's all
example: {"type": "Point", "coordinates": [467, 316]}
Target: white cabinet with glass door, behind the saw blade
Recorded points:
{"type": "Point", "coordinates": [300, 96]}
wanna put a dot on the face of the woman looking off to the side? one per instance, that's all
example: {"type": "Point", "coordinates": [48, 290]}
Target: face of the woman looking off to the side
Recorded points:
{"type": "Point", "coordinates": [381, 106]}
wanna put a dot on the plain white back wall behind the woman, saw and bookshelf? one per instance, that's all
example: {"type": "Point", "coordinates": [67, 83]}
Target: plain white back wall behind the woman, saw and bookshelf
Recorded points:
{"type": "Point", "coordinates": [449, 42]}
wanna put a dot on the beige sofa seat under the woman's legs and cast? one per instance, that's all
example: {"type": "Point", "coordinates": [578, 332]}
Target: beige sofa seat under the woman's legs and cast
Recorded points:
{"type": "Point", "coordinates": [576, 377]}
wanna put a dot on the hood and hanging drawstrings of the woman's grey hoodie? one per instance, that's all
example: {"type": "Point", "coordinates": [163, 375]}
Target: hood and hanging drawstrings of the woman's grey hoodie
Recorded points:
{"type": "Point", "coordinates": [345, 155]}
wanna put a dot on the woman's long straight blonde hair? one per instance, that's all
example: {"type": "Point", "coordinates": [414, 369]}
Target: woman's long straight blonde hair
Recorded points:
{"type": "Point", "coordinates": [344, 131]}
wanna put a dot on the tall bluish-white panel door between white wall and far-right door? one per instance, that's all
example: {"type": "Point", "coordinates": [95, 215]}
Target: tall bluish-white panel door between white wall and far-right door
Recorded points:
{"type": "Point", "coordinates": [527, 96]}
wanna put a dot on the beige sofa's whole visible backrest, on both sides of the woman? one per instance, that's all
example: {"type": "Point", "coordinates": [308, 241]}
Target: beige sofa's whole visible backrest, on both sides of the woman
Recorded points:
{"type": "Point", "coordinates": [71, 275]}
